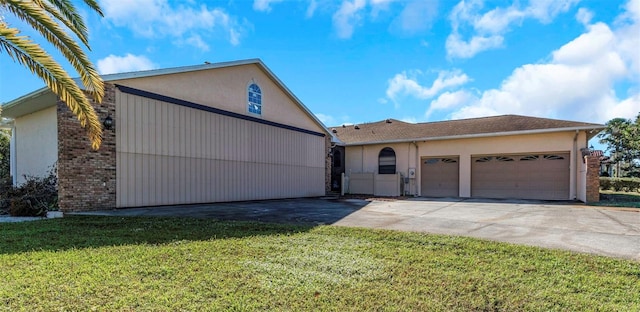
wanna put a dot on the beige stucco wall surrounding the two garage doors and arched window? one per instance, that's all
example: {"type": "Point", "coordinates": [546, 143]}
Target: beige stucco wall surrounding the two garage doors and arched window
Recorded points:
{"type": "Point", "coordinates": [365, 158]}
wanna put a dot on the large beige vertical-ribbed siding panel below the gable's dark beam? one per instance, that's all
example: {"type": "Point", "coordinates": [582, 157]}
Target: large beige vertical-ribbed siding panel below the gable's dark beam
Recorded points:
{"type": "Point", "coordinates": [170, 154]}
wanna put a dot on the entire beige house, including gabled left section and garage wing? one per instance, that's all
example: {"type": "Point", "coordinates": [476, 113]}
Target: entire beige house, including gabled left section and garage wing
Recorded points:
{"type": "Point", "coordinates": [233, 131]}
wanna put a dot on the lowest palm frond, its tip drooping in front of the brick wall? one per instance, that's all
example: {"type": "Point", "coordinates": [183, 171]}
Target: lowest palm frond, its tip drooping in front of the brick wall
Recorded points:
{"type": "Point", "coordinates": [39, 62]}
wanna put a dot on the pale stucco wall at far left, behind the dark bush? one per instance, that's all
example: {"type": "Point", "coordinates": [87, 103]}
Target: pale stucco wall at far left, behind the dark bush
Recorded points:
{"type": "Point", "coordinates": [36, 148]}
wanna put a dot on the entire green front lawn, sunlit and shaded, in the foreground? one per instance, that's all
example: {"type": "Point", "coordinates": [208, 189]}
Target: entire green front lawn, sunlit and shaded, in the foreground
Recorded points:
{"type": "Point", "coordinates": [166, 264]}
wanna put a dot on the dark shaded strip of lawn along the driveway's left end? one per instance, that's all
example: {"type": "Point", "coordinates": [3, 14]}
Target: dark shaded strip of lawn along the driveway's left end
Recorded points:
{"type": "Point", "coordinates": [77, 232]}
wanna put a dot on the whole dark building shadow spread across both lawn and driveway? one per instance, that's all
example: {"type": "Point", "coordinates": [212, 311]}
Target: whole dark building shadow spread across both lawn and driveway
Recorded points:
{"type": "Point", "coordinates": [163, 225]}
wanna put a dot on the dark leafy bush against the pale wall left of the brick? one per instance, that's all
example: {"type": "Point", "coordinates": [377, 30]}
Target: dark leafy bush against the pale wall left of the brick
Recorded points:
{"type": "Point", "coordinates": [34, 197]}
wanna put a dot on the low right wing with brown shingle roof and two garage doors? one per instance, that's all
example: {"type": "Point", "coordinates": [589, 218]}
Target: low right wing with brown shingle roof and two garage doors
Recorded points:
{"type": "Point", "coordinates": [506, 156]}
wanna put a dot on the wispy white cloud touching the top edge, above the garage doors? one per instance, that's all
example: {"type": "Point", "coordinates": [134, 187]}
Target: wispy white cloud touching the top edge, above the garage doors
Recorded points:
{"type": "Point", "coordinates": [487, 30]}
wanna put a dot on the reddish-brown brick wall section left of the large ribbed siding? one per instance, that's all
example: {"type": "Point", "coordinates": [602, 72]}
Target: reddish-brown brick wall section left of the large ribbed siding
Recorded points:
{"type": "Point", "coordinates": [86, 178]}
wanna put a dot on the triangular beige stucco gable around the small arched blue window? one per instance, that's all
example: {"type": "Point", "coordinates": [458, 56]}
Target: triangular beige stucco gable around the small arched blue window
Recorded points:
{"type": "Point", "coordinates": [226, 88]}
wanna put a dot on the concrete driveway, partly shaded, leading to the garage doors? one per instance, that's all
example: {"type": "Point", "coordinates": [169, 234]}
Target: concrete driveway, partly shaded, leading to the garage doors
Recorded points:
{"type": "Point", "coordinates": [571, 226]}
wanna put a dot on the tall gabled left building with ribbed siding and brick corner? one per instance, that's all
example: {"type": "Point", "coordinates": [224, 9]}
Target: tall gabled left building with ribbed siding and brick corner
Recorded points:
{"type": "Point", "coordinates": [207, 133]}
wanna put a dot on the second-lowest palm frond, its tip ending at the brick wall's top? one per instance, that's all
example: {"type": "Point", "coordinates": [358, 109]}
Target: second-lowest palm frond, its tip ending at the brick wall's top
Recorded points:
{"type": "Point", "coordinates": [38, 18]}
